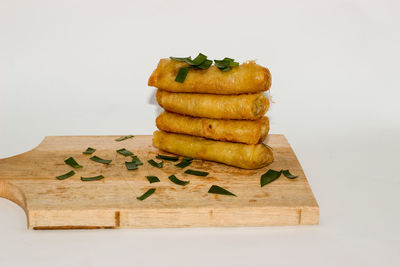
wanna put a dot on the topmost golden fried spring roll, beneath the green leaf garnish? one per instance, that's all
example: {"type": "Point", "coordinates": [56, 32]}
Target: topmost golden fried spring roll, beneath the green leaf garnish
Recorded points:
{"type": "Point", "coordinates": [247, 78]}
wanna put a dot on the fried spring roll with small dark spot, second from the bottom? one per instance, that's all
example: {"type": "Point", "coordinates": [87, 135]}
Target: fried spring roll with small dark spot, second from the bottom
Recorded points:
{"type": "Point", "coordinates": [241, 131]}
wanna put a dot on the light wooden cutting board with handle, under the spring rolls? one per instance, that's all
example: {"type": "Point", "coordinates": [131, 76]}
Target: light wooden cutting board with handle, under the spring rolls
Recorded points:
{"type": "Point", "coordinates": [29, 180]}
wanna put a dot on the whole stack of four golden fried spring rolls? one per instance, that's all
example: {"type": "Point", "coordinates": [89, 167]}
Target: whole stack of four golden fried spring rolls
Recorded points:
{"type": "Point", "coordinates": [214, 115]}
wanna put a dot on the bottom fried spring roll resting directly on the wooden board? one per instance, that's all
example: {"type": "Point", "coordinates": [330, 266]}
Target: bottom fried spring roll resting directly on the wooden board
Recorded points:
{"type": "Point", "coordinates": [234, 154]}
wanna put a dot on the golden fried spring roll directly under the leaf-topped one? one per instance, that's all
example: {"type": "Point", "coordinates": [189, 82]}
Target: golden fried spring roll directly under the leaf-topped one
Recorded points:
{"type": "Point", "coordinates": [240, 107]}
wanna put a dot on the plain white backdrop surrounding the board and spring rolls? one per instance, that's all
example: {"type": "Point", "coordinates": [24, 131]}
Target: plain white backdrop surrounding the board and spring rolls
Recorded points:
{"type": "Point", "coordinates": [80, 67]}
